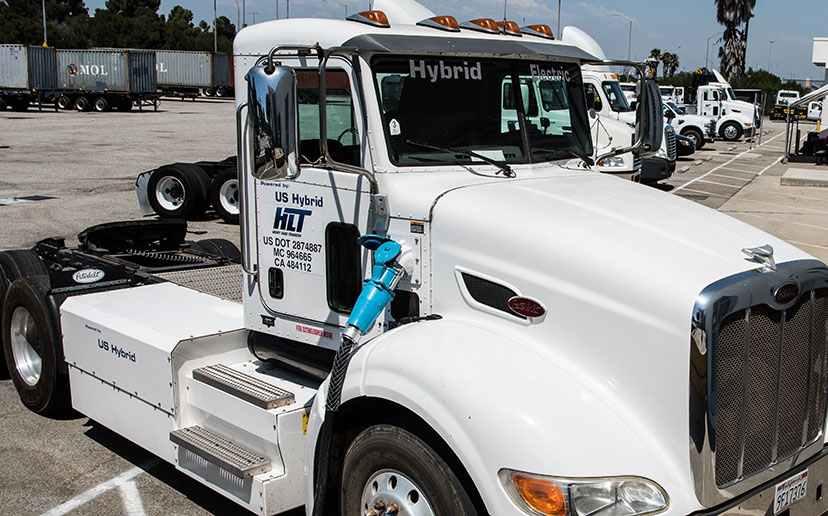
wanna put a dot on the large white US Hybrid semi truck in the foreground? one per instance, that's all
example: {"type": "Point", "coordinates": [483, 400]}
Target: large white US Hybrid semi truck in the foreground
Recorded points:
{"type": "Point", "coordinates": [513, 336]}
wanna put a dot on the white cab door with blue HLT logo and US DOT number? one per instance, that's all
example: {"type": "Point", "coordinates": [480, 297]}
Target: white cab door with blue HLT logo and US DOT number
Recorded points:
{"type": "Point", "coordinates": [310, 264]}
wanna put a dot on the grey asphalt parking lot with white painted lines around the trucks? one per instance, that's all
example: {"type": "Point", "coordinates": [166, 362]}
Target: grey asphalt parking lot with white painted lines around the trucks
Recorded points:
{"type": "Point", "coordinates": [62, 172]}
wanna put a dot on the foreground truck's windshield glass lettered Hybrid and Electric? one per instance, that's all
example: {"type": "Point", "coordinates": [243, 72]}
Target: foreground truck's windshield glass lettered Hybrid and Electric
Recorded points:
{"type": "Point", "coordinates": [437, 110]}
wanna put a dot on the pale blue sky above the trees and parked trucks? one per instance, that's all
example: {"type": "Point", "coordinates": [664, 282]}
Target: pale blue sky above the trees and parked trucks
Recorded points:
{"type": "Point", "coordinates": [679, 27]}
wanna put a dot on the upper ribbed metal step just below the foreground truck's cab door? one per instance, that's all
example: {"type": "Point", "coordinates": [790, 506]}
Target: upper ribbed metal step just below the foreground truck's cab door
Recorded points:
{"type": "Point", "coordinates": [243, 386]}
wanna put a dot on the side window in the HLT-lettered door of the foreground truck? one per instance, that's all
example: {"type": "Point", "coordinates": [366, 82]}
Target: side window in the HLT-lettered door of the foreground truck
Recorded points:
{"type": "Point", "coordinates": [343, 135]}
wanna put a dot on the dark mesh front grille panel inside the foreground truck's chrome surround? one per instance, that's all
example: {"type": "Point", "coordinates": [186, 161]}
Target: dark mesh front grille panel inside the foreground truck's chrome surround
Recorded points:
{"type": "Point", "coordinates": [770, 384]}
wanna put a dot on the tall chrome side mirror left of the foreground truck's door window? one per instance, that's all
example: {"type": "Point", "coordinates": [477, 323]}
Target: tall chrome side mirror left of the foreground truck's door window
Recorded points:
{"type": "Point", "coordinates": [273, 122]}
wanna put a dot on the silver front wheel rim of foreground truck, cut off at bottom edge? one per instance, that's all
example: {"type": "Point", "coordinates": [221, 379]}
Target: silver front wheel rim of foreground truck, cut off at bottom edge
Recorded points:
{"type": "Point", "coordinates": [388, 487]}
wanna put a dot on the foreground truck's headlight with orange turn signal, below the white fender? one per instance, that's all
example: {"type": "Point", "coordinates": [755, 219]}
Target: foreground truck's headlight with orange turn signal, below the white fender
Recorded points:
{"type": "Point", "coordinates": [615, 496]}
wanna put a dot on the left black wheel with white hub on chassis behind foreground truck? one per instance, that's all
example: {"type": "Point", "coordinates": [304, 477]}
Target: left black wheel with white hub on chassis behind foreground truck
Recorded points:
{"type": "Point", "coordinates": [178, 191]}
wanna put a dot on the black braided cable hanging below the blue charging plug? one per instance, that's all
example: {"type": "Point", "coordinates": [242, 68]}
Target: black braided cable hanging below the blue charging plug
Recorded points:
{"type": "Point", "coordinates": [332, 403]}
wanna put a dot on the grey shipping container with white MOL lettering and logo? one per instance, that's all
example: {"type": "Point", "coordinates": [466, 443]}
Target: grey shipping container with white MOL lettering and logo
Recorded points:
{"type": "Point", "coordinates": [92, 70]}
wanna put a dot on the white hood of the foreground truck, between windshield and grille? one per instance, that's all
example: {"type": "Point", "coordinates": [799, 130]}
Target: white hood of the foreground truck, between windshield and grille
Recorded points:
{"type": "Point", "coordinates": [617, 267]}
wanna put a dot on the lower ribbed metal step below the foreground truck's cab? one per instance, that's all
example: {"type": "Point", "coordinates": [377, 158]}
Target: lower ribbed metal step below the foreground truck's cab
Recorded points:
{"type": "Point", "coordinates": [219, 451]}
